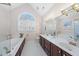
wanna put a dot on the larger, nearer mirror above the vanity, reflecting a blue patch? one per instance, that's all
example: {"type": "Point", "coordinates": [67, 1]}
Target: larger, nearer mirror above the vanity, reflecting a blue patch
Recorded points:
{"type": "Point", "coordinates": [65, 26]}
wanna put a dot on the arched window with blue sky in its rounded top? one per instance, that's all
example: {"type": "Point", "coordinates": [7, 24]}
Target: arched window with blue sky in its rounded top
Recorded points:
{"type": "Point", "coordinates": [26, 22]}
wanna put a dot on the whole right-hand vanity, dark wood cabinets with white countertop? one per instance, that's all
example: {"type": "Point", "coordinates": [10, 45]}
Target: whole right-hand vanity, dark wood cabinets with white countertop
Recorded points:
{"type": "Point", "coordinates": [55, 47]}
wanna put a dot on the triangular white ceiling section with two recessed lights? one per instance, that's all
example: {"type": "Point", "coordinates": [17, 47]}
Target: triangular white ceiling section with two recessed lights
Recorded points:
{"type": "Point", "coordinates": [42, 8]}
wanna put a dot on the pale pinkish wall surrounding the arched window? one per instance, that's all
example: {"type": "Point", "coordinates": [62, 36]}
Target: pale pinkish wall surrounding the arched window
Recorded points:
{"type": "Point", "coordinates": [15, 14]}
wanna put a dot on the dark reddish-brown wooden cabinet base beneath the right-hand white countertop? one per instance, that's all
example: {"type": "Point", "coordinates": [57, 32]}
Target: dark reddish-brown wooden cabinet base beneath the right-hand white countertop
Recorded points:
{"type": "Point", "coordinates": [51, 49]}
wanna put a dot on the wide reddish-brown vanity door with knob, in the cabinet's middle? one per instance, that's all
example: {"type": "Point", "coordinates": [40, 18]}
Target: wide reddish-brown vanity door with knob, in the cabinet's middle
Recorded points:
{"type": "Point", "coordinates": [55, 51]}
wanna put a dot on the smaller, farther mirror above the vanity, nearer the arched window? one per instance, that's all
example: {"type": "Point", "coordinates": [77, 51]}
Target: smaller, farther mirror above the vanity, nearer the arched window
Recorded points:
{"type": "Point", "coordinates": [50, 26]}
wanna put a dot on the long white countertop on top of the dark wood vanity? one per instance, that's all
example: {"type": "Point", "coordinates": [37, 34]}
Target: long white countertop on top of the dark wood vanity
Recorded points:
{"type": "Point", "coordinates": [63, 44]}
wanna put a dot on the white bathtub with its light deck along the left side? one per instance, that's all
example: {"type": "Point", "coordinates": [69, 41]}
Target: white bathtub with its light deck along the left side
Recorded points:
{"type": "Point", "coordinates": [11, 47]}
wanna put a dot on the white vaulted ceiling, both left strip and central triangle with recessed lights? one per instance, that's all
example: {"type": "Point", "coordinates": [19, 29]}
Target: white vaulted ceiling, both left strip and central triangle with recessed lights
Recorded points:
{"type": "Point", "coordinates": [40, 8]}
